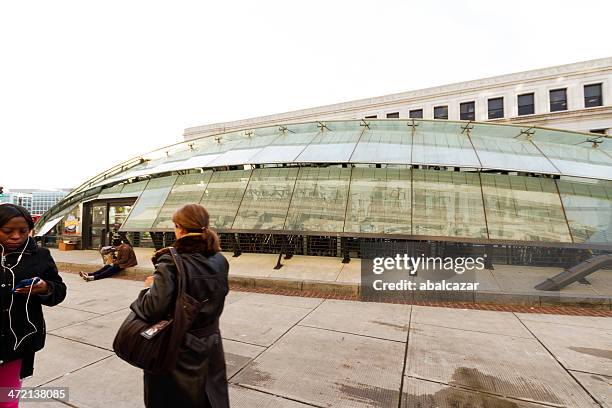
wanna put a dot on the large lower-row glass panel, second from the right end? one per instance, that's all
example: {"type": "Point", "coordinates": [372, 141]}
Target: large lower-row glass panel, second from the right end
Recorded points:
{"type": "Point", "coordinates": [523, 208]}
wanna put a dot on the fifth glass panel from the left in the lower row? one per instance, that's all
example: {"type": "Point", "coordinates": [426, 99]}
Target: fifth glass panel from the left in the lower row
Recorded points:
{"type": "Point", "coordinates": [319, 199]}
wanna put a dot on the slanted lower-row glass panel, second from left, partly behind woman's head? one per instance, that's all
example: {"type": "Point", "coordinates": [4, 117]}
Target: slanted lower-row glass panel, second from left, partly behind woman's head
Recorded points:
{"type": "Point", "coordinates": [188, 188]}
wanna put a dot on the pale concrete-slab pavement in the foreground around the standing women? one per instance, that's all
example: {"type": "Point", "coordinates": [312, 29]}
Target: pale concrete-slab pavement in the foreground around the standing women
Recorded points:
{"type": "Point", "coordinates": [307, 352]}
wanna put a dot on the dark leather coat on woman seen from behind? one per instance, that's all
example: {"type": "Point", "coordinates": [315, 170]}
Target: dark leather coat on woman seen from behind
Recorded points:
{"type": "Point", "coordinates": [199, 379]}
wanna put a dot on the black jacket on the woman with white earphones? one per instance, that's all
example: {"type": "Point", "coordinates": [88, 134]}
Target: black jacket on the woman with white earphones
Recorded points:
{"type": "Point", "coordinates": [35, 261]}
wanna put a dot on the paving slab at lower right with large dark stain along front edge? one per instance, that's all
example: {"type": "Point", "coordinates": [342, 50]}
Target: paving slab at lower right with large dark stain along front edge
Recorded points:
{"type": "Point", "coordinates": [502, 365]}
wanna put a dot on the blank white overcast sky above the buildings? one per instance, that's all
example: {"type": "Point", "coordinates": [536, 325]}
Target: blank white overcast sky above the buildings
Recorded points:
{"type": "Point", "coordinates": [85, 85]}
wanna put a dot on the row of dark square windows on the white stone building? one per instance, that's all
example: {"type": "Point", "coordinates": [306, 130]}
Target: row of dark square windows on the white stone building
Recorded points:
{"type": "Point", "coordinates": [526, 105]}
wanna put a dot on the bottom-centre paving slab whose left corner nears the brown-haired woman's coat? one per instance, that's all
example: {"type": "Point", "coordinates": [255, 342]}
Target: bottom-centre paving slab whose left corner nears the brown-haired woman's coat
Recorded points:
{"type": "Point", "coordinates": [329, 369]}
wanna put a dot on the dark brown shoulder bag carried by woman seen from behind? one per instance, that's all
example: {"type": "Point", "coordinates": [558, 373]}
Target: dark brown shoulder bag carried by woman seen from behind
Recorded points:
{"type": "Point", "coordinates": [154, 348]}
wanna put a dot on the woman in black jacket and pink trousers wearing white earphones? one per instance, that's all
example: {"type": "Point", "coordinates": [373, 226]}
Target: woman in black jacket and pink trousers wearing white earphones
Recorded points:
{"type": "Point", "coordinates": [28, 280]}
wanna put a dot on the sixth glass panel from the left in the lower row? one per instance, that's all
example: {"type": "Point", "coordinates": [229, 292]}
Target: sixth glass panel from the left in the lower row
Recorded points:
{"type": "Point", "coordinates": [379, 201]}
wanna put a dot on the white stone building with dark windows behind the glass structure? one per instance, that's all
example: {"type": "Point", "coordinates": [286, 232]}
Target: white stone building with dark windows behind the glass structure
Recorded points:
{"type": "Point", "coordinates": [573, 97]}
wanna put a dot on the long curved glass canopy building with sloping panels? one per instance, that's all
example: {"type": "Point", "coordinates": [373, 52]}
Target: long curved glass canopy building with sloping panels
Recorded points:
{"type": "Point", "coordinates": [321, 188]}
